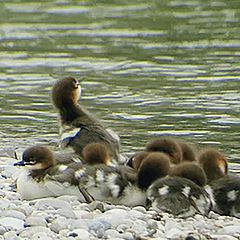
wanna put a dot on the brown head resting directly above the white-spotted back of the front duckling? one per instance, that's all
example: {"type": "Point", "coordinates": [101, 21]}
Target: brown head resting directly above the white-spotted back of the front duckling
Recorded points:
{"type": "Point", "coordinates": [191, 171]}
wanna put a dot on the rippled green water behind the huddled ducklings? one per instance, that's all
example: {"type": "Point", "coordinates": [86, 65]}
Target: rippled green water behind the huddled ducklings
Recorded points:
{"type": "Point", "coordinates": [148, 69]}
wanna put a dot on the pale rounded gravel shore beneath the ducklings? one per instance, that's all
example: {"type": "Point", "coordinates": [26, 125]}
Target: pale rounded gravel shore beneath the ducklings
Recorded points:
{"type": "Point", "coordinates": [65, 217]}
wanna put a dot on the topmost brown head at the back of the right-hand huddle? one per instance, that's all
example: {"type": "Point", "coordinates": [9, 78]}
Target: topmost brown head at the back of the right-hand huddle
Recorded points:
{"type": "Point", "coordinates": [168, 146]}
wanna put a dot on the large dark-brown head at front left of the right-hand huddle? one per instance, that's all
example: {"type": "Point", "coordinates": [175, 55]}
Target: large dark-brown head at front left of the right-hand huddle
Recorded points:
{"type": "Point", "coordinates": [155, 165]}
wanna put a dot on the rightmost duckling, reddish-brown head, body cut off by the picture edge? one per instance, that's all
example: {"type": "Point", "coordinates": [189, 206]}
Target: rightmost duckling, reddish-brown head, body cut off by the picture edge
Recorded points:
{"type": "Point", "coordinates": [222, 187]}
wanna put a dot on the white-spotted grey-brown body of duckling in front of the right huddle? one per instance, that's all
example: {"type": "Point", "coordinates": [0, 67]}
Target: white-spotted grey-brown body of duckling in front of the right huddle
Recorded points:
{"type": "Point", "coordinates": [178, 196]}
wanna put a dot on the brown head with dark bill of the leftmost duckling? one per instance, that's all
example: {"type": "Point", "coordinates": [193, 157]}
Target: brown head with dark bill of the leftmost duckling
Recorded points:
{"type": "Point", "coordinates": [37, 157]}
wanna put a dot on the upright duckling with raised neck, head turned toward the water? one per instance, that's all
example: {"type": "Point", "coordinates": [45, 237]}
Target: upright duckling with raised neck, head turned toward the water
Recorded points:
{"type": "Point", "coordinates": [79, 127]}
